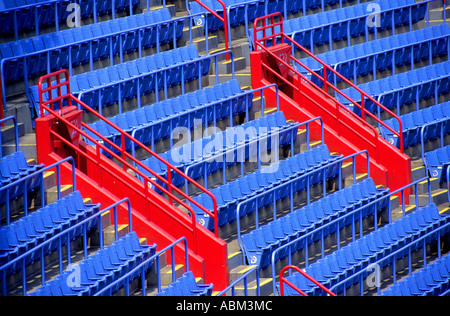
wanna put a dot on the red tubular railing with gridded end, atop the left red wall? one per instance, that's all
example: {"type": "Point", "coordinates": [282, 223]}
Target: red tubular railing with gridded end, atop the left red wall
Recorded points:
{"type": "Point", "coordinates": [125, 156]}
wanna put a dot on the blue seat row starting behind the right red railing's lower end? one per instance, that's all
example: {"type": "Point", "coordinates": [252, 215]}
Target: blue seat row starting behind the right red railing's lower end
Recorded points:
{"type": "Point", "coordinates": [413, 122]}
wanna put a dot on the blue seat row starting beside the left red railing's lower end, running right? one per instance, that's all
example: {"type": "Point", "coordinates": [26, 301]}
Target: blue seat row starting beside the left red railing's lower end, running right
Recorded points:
{"type": "Point", "coordinates": [257, 184]}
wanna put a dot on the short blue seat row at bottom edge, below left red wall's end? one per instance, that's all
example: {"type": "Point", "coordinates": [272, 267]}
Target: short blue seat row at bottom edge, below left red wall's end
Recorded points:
{"type": "Point", "coordinates": [186, 285]}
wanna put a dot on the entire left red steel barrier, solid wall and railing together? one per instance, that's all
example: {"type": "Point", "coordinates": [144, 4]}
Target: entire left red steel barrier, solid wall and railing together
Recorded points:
{"type": "Point", "coordinates": [152, 209]}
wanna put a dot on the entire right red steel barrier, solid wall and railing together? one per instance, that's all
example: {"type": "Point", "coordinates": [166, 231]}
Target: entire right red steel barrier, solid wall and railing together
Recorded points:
{"type": "Point", "coordinates": [301, 99]}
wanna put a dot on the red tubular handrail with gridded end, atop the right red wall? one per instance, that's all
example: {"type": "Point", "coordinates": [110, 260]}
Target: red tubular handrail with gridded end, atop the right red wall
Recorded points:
{"type": "Point", "coordinates": [324, 79]}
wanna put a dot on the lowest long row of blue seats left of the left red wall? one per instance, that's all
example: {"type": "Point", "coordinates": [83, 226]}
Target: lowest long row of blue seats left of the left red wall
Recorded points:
{"type": "Point", "coordinates": [102, 269]}
